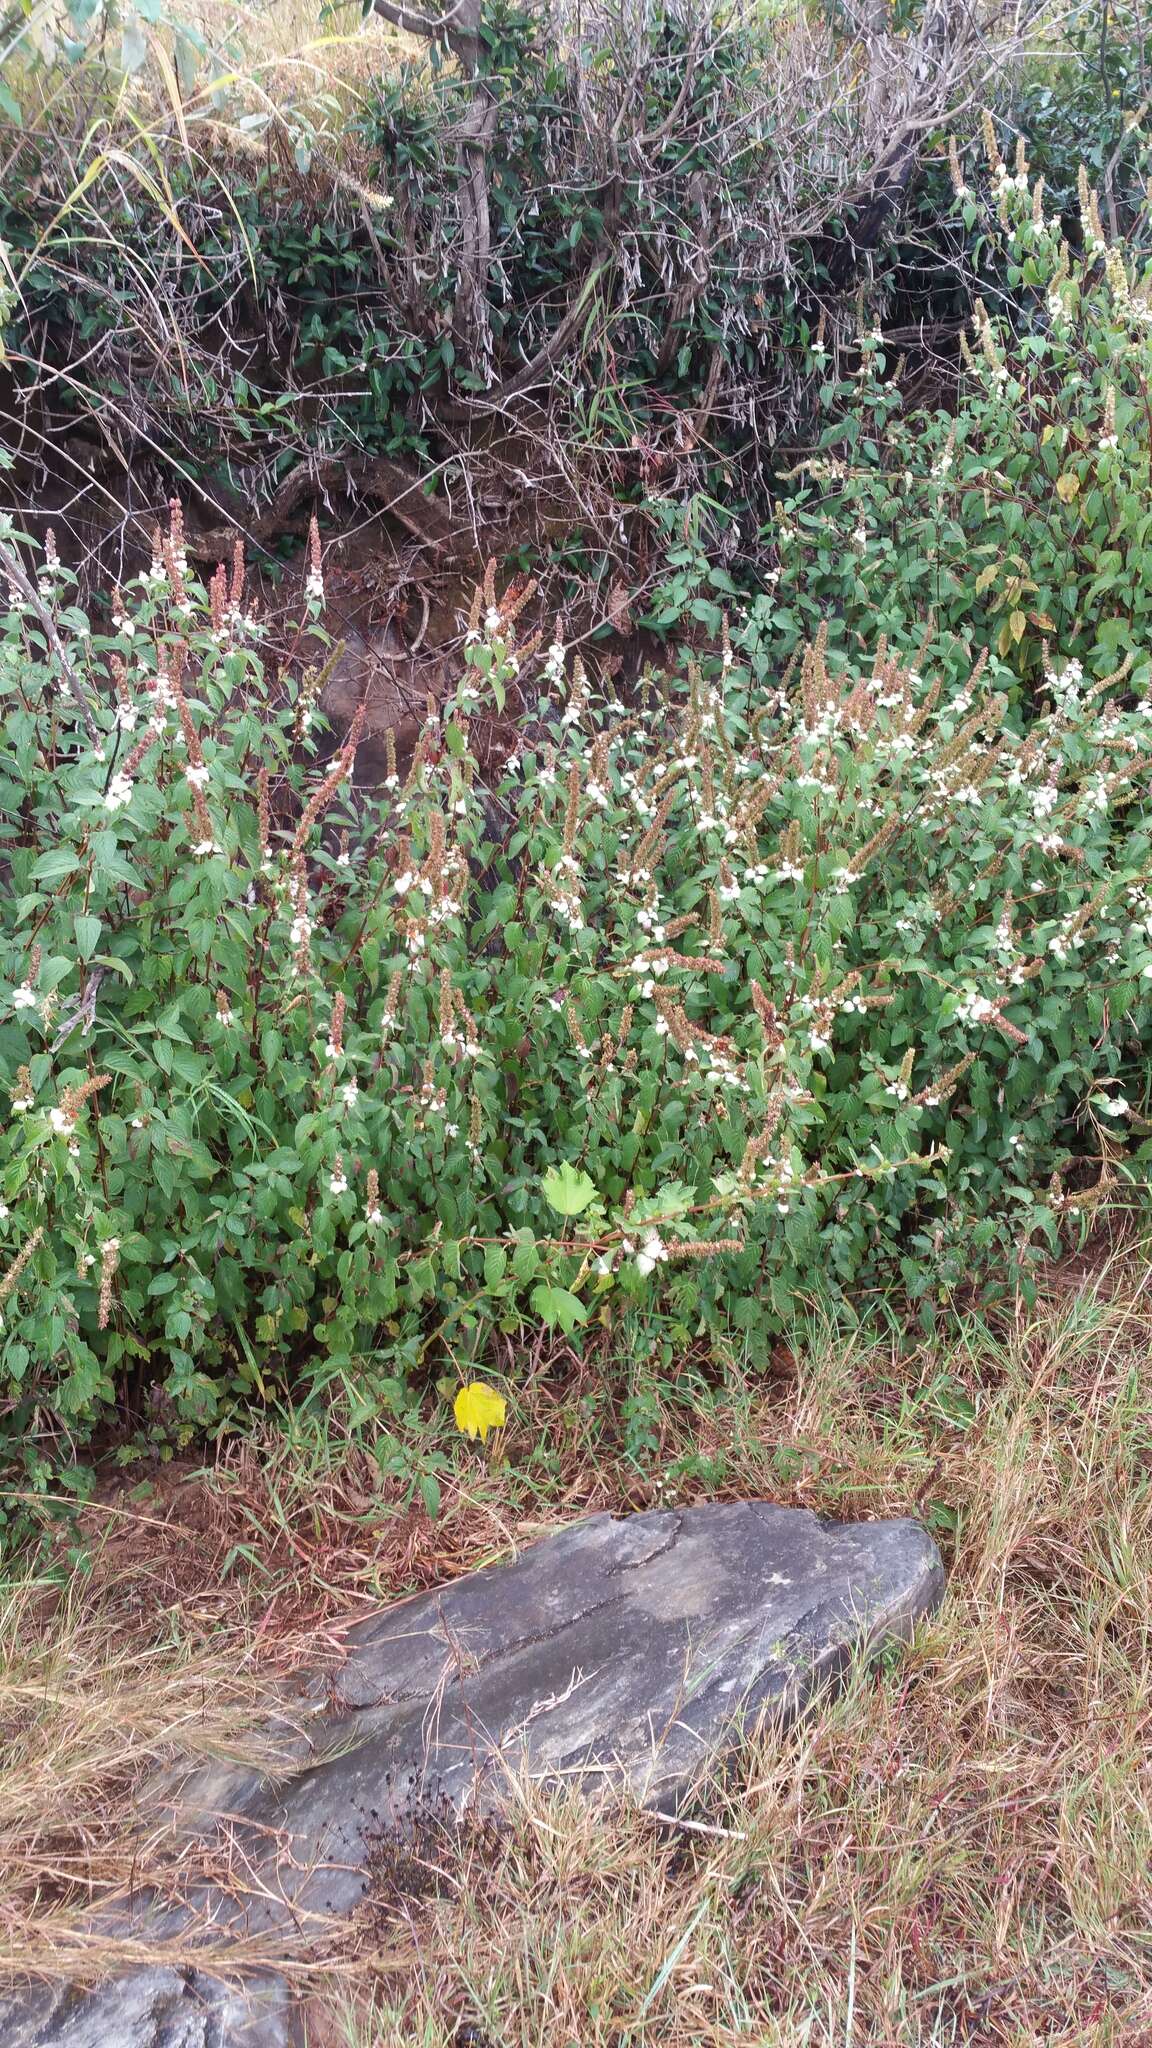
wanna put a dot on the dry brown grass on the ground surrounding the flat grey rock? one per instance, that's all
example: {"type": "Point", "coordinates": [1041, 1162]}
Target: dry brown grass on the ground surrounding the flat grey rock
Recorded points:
{"type": "Point", "coordinates": [956, 1850]}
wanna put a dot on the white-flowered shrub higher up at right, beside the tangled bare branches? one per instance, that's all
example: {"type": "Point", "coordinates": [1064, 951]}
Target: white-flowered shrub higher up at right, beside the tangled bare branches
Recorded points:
{"type": "Point", "coordinates": [1007, 519]}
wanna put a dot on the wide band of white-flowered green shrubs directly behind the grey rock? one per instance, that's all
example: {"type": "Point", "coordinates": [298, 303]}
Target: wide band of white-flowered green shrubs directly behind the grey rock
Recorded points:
{"type": "Point", "coordinates": [700, 1002]}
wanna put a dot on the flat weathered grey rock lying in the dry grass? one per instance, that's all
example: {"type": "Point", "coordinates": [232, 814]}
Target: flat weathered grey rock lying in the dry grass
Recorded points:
{"type": "Point", "coordinates": [612, 1656]}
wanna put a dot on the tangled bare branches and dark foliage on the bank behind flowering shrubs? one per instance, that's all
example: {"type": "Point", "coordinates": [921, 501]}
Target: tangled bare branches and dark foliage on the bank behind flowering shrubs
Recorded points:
{"type": "Point", "coordinates": [296, 275]}
